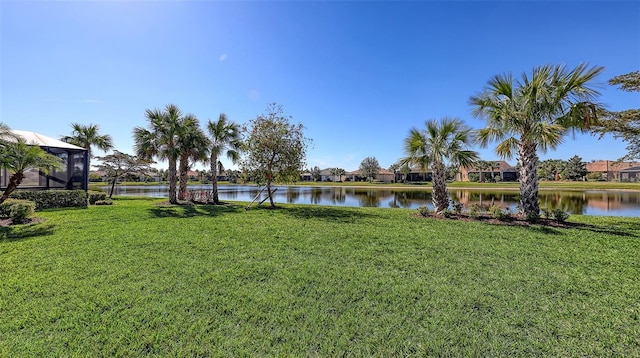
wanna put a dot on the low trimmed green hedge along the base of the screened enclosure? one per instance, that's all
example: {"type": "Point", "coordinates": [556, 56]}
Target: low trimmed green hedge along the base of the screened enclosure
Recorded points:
{"type": "Point", "coordinates": [49, 199]}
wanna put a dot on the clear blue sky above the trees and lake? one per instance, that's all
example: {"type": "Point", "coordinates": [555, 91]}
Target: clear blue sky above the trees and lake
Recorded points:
{"type": "Point", "coordinates": [357, 74]}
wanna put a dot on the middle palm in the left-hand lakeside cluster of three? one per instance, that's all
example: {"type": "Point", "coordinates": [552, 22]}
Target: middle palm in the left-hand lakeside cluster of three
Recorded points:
{"type": "Point", "coordinates": [193, 145]}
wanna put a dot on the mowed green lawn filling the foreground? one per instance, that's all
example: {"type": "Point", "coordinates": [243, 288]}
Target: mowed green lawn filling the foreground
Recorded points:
{"type": "Point", "coordinates": [138, 278]}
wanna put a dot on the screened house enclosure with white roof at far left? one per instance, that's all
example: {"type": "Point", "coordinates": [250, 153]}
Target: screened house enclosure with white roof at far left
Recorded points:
{"type": "Point", "coordinates": [74, 173]}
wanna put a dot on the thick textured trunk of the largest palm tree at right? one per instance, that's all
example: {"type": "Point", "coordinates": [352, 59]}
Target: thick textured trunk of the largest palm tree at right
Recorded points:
{"type": "Point", "coordinates": [528, 161]}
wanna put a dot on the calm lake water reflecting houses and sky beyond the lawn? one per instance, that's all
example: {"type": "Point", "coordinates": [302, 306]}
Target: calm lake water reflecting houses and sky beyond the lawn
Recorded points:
{"type": "Point", "coordinates": [590, 202]}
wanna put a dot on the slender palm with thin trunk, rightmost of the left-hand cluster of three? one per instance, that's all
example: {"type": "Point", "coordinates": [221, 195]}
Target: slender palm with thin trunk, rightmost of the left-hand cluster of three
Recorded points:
{"type": "Point", "coordinates": [223, 136]}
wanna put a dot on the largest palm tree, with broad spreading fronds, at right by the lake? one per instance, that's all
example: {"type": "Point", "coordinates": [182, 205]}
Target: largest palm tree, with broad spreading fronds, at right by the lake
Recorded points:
{"type": "Point", "coordinates": [534, 114]}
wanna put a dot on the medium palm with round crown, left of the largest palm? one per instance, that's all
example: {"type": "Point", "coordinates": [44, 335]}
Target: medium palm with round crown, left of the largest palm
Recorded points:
{"type": "Point", "coordinates": [441, 143]}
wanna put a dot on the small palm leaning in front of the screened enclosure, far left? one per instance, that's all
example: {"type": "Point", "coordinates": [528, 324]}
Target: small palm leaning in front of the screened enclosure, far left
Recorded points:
{"type": "Point", "coordinates": [18, 157]}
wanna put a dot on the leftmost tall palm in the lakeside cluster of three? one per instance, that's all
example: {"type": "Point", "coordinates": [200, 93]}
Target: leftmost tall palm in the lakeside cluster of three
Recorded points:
{"type": "Point", "coordinates": [161, 141]}
